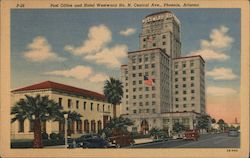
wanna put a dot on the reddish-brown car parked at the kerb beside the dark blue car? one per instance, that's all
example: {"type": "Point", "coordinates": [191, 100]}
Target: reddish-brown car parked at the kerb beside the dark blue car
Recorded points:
{"type": "Point", "coordinates": [122, 140]}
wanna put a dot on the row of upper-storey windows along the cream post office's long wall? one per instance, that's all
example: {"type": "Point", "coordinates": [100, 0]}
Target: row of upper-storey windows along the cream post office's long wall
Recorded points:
{"type": "Point", "coordinates": [70, 105]}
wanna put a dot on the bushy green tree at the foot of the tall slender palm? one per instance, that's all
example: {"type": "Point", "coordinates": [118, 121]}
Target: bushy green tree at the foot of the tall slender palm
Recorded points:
{"type": "Point", "coordinates": [117, 125]}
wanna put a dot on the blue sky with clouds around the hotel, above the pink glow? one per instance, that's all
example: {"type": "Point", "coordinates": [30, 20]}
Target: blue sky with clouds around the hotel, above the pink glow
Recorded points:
{"type": "Point", "coordinates": [52, 45]}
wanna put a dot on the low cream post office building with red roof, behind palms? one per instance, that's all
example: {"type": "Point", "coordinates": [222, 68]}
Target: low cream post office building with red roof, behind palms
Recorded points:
{"type": "Point", "coordinates": [91, 105]}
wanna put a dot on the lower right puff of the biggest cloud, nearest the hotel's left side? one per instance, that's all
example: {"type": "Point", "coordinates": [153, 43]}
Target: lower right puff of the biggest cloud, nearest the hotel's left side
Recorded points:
{"type": "Point", "coordinates": [109, 57]}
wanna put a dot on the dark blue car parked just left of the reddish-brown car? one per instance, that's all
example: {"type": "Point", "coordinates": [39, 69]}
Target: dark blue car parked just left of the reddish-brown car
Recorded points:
{"type": "Point", "coordinates": [97, 143]}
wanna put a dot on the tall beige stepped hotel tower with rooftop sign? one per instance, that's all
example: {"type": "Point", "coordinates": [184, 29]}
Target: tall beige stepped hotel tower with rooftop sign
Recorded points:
{"type": "Point", "coordinates": [178, 90]}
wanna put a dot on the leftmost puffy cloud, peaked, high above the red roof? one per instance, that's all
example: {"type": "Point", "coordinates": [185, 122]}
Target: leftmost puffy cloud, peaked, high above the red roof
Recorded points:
{"type": "Point", "coordinates": [40, 50]}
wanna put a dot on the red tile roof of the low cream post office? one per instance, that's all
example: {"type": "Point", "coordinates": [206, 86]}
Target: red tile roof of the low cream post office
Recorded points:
{"type": "Point", "coordinates": [64, 88]}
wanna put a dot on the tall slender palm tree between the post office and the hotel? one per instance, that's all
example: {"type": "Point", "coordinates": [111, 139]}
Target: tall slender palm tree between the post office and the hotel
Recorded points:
{"type": "Point", "coordinates": [113, 91]}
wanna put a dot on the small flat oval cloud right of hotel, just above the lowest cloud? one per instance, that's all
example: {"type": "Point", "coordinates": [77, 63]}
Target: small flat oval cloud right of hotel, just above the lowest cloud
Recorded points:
{"type": "Point", "coordinates": [221, 74]}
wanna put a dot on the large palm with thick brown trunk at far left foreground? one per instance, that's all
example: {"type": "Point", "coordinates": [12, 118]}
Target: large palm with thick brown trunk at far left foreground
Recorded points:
{"type": "Point", "coordinates": [37, 109]}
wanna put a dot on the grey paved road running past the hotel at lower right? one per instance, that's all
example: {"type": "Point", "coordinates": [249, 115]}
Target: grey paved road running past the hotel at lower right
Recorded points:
{"type": "Point", "coordinates": [205, 141]}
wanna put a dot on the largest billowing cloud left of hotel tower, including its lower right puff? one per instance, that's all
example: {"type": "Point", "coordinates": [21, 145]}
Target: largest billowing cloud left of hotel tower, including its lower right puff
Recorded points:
{"type": "Point", "coordinates": [96, 49]}
